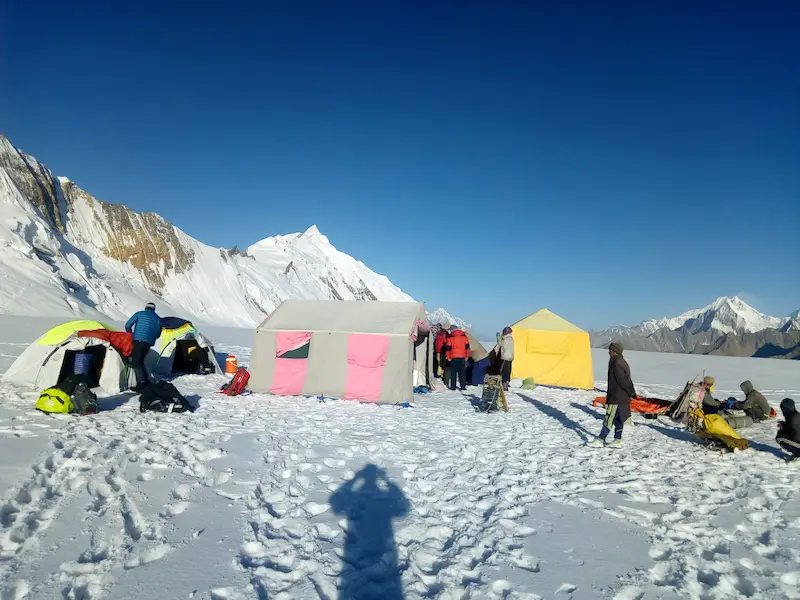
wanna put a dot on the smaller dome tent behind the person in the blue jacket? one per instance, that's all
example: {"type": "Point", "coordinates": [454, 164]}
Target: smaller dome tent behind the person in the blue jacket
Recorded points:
{"type": "Point", "coordinates": [179, 349]}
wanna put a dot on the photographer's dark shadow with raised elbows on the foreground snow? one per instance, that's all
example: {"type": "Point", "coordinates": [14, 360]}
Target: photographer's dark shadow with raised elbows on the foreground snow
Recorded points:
{"type": "Point", "coordinates": [370, 501]}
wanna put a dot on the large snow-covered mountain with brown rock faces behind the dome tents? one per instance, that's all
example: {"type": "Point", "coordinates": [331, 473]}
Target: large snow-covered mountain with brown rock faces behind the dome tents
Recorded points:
{"type": "Point", "coordinates": [63, 252]}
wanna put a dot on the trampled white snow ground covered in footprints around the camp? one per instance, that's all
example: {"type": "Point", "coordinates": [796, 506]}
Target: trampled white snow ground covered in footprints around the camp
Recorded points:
{"type": "Point", "coordinates": [270, 497]}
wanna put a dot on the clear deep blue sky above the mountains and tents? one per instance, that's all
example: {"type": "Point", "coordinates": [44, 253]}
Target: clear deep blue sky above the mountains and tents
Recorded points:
{"type": "Point", "coordinates": [611, 161]}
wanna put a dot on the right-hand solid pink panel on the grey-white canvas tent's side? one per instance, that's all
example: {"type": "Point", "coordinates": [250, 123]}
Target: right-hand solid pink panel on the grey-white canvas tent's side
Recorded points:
{"type": "Point", "coordinates": [366, 358]}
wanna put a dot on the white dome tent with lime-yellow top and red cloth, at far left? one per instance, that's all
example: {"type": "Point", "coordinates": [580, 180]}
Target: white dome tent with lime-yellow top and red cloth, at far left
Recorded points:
{"type": "Point", "coordinates": [51, 358]}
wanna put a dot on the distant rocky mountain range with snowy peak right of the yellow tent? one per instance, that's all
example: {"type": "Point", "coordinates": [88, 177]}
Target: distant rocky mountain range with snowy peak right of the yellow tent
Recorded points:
{"type": "Point", "coordinates": [727, 327]}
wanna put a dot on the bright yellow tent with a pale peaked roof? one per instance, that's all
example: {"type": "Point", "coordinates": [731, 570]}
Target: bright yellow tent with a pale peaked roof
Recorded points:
{"type": "Point", "coordinates": [553, 351]}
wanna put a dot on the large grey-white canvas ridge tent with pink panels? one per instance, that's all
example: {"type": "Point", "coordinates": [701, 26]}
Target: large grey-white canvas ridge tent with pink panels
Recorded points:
{"type": "Point", "coordinates": [370, 351]}
